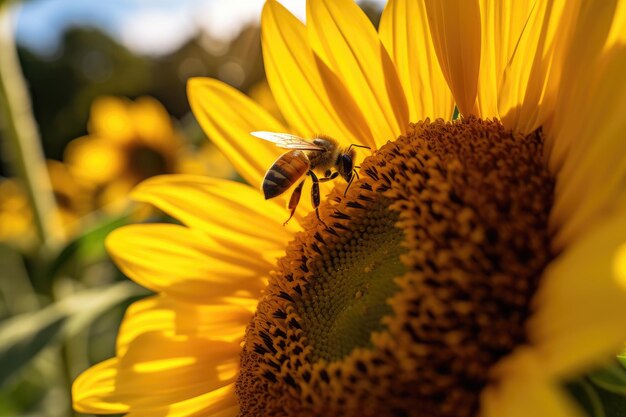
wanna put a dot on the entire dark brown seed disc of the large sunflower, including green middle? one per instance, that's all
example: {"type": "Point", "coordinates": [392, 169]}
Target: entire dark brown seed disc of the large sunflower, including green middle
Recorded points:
{"type": "Point", "coordinates": [419, 285]}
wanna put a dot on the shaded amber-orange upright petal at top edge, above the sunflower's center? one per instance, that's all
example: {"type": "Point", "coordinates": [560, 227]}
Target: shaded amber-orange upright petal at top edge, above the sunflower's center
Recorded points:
{"type": "Point", "coordinates": [455, 30]}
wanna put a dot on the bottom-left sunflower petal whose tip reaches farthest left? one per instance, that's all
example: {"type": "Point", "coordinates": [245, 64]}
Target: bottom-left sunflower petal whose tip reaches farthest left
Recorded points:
{"type": "Point", "coordinates": [180, 378]}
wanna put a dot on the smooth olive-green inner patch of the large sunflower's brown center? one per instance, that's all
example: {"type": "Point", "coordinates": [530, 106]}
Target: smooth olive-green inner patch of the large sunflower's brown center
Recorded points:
{"type": "Point", "coordinates": [352, 275]}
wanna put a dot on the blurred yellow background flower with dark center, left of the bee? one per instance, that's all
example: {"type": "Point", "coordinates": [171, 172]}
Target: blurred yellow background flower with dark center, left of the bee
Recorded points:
{"type": "Point", "coordinates": [128, 142]}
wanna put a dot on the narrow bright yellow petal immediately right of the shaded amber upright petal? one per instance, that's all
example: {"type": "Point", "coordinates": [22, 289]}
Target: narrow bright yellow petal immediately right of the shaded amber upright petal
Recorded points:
{"type": "Point", "coordinates": [502, 24]}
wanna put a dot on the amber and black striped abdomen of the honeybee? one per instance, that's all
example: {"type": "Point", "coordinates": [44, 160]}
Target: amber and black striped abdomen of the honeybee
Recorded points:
{"type": "Point", "coordinates": [287, 169]}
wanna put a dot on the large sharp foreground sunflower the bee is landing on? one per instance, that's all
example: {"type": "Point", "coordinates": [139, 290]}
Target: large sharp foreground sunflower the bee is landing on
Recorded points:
{"type": "Point", "coordinates": [475, 266]}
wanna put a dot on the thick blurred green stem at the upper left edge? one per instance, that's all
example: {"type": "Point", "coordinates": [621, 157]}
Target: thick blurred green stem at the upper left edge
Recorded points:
{"type": "Point", "coordinates": [22, 138]}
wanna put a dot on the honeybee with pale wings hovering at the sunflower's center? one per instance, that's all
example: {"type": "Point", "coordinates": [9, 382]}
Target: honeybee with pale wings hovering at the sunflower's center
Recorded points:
{"type": "Point", "coordinates": [320, 154]}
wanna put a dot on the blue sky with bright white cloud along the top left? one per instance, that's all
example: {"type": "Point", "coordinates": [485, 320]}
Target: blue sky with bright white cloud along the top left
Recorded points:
{"type": "Point", "coordinates": [145, 26]}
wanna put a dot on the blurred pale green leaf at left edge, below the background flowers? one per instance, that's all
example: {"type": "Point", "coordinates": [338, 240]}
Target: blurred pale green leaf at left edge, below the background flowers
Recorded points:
{"type": "Point", "coordinates": [22, 337]}
